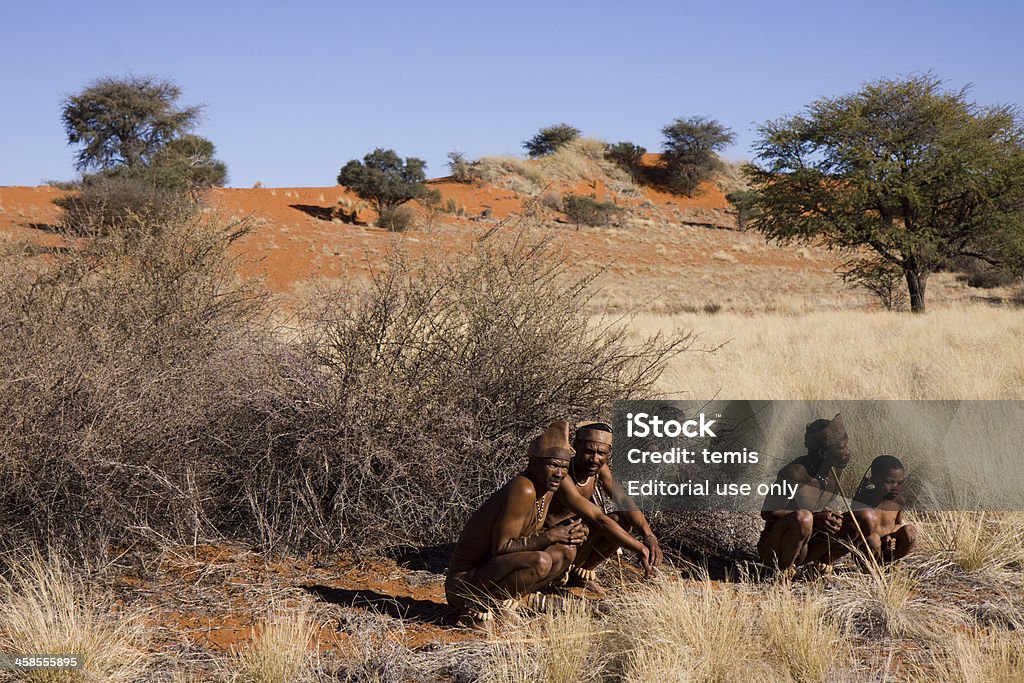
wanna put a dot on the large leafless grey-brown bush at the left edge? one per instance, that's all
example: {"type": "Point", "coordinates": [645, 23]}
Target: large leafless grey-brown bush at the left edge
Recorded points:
{"type": "Point", "coordinates": [135, 375]}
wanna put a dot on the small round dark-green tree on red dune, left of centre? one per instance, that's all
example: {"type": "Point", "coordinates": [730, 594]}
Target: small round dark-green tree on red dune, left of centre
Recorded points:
{"type": "Point", "coordinates": [388, 182]}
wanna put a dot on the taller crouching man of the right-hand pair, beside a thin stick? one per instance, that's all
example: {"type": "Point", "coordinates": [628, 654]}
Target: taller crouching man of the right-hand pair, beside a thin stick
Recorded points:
{"type": "Point", "coordinates": [807, 528]}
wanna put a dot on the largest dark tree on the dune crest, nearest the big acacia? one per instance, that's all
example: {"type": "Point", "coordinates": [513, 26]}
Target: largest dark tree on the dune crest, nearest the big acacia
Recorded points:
{"type": "Point", "coordinates": [690, 152]}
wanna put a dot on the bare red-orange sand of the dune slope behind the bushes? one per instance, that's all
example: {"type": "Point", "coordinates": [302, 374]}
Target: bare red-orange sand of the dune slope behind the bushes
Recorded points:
{"type": "Point", "coordinates": [297, 239]}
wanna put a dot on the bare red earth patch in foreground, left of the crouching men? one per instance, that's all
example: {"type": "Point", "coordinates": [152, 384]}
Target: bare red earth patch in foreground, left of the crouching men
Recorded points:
{"type": "Point", "coordinates": [215, 599]}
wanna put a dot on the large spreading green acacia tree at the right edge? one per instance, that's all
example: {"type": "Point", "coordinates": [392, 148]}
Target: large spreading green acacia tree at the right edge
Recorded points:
{"type": "Point", "coordinates": [902, 175]}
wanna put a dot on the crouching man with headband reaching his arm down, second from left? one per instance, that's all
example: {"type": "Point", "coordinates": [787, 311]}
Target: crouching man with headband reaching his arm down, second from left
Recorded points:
{"type": "Point", "coordinates": [580, 498]}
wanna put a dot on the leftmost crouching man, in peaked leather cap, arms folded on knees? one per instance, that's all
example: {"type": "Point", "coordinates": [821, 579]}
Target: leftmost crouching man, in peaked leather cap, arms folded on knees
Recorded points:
{"type": "Point", "coordinates": [504, 551]}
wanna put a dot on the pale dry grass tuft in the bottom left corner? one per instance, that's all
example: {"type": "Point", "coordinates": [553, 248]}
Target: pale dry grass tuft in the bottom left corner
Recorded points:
{"type": "Point", "coordinates": [46, 610]}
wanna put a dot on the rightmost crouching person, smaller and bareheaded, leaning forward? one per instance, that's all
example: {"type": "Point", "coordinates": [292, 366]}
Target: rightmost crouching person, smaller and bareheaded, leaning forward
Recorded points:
{"type": "Point", "coordinates": [878, 510]}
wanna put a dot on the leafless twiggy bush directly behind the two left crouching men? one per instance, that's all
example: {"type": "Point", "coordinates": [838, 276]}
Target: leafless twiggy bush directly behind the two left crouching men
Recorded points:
{"type": "Point", "coordinates": [434, 379]}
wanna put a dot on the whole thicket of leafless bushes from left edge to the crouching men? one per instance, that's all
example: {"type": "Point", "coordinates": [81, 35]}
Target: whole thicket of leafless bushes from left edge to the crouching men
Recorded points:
{"type": "Point", "coordinates": [148, 399]}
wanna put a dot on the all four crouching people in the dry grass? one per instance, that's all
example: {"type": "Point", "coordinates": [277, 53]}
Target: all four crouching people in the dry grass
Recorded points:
{"type": "Point", "coordinates": [550, 527]}
